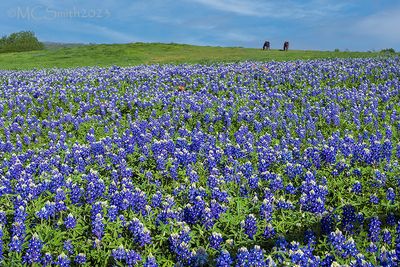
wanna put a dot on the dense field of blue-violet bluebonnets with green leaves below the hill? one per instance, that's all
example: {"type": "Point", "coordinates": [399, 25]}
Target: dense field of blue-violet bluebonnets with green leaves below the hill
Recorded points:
{"type": "Point", "coordinates": [245, 164]}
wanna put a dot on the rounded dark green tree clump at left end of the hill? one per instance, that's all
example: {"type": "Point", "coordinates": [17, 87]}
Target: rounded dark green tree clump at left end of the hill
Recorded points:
{"type": "Point", "coordinates": [19, 42]}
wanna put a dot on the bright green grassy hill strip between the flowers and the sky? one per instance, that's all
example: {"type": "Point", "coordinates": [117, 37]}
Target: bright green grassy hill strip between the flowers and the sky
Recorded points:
{"type": "Point", "coordinates": [151, 53]}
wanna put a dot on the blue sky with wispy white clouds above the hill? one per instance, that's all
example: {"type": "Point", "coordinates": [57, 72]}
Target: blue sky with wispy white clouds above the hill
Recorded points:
{"type": "Point", "coordinates": [359, 25]}
